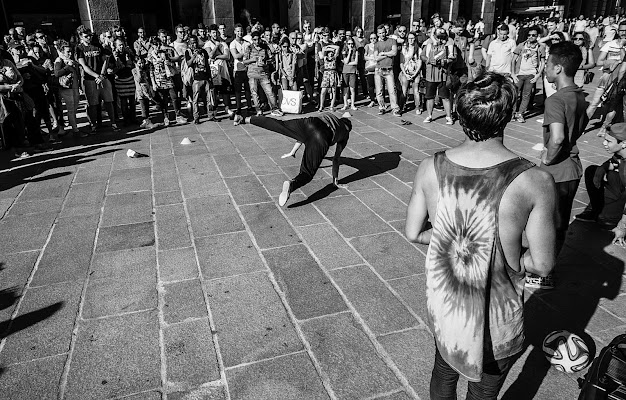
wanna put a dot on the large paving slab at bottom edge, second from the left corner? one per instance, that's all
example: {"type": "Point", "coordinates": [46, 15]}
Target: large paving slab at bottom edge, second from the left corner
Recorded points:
{"type": "Point", "coordinates": [115, 356]}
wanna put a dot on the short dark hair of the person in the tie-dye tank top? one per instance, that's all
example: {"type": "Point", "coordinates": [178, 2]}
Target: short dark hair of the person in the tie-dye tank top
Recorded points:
{"type": "Point", "coordinates": [486, 105]}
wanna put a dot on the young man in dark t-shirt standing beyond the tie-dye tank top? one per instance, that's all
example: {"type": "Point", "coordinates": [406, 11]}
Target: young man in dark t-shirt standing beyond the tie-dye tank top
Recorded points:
{"type": "Point", "coordinates": [564, 122]}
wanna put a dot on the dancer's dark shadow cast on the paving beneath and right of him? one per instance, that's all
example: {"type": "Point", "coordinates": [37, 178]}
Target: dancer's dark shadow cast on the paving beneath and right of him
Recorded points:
{"type": "Point", "coordinates": [366, 167]}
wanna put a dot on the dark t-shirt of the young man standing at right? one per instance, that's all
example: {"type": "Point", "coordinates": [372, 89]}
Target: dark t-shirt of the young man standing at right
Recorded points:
{"type": "Point", "coordinates": [568, 107]}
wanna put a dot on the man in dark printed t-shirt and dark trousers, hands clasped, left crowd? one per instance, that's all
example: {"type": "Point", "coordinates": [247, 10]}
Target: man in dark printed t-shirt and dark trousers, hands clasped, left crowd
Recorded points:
{"type": "Point", "coordinates": [97, 86]}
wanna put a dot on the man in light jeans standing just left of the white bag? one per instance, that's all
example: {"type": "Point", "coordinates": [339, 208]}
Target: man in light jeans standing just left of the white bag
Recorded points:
{"type": "Point", "coordinates": [256, 58]}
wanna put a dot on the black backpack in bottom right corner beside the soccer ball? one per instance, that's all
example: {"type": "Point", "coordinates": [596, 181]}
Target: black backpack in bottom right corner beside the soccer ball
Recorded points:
{"type": "Point", "coordinates": [606, 378]}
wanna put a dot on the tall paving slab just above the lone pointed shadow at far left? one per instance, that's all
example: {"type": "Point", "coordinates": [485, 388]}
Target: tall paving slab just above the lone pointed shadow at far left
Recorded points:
{"type": "Point", "coordinates": [68, 253]}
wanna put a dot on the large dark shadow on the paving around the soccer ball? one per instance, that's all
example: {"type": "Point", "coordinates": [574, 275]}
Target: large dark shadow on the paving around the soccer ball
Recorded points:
{"type": "Point", "coordinates": [585, 273]}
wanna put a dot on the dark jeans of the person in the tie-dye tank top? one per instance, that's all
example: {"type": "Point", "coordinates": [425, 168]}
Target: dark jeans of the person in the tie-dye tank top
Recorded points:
{"type": "Point", "coordinates": [444, 380]}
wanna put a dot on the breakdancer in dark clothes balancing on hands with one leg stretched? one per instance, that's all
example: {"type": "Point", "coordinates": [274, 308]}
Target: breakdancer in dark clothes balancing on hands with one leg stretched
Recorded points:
{"type": "Point", "coordinates": [317, 134]}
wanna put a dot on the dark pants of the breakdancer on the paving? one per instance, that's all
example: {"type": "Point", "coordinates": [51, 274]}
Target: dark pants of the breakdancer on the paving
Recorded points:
{"type": "Point", "coordinates": [312, 132]}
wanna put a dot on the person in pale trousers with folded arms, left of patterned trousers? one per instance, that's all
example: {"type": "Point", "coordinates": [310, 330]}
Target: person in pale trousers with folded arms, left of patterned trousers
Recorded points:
{"type": "Point", "coordinates": [385, 49]}
